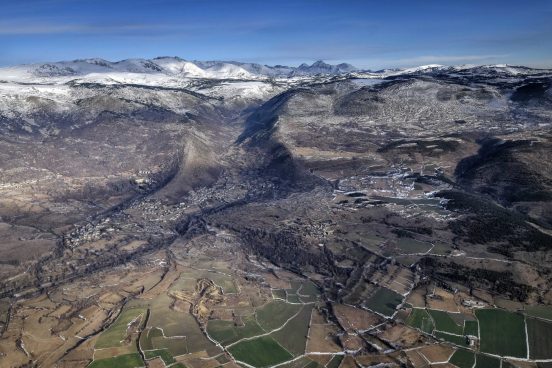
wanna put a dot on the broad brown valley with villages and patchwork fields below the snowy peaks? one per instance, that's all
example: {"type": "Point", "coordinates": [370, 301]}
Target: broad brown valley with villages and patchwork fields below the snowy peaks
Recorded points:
{"type": "Point", "coordinates": [338, 221]}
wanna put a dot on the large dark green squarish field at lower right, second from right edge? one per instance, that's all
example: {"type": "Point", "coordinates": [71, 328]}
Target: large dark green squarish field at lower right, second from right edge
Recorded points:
{"type": "Point", "coordinates": [502, 333]}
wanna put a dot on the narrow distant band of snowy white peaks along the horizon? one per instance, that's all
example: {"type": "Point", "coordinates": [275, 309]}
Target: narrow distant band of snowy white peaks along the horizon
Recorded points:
{"type": "Point", "coordinates": [173, 70]}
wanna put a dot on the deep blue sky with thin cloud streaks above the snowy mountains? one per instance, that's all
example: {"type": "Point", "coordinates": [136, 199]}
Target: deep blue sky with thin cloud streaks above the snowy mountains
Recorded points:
{"type": "Point", "coordinates": [370, 34]}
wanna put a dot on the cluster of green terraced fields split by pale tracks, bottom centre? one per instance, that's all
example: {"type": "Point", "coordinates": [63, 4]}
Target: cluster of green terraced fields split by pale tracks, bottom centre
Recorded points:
{"type": "Point", "coordinates": [275, 332]}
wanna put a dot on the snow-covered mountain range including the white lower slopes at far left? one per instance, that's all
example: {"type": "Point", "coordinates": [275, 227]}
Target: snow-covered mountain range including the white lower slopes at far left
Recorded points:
{"type": "Point", "coordinates": [234, 83]}
